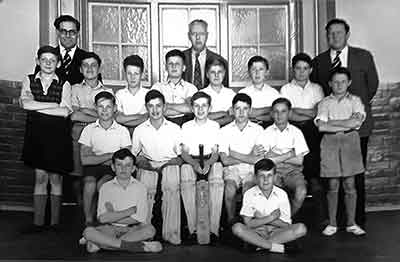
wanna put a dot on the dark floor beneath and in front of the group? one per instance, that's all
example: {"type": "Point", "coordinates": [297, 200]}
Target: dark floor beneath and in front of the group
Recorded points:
{"type": "Point", "coordinates": [382, 243]}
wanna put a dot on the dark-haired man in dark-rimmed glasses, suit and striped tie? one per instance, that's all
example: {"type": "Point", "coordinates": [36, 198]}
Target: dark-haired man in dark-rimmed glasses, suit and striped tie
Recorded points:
{"type": "Point", "coordinates": [67, 28]}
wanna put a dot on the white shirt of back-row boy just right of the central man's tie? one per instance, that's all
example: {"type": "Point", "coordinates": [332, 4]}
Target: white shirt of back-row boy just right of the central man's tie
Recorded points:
{"type": "Point", "coordinates": [220, 101]}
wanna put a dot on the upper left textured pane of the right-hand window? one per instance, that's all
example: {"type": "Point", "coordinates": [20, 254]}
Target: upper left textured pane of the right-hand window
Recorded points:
{"type": "Point", "coordinates": [243, 26]}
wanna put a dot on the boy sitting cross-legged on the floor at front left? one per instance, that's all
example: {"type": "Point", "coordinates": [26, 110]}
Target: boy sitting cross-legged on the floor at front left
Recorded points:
{"type": "Point", "coordinates": [122, 208]}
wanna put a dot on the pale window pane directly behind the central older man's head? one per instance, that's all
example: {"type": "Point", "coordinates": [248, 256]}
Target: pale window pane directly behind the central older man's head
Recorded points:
{"type": "Point", "coordinates": [210, 16]}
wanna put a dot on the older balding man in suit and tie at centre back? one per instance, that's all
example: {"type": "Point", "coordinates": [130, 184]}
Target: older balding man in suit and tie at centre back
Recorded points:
{"type": "Point", "coordinates": [198, 54]}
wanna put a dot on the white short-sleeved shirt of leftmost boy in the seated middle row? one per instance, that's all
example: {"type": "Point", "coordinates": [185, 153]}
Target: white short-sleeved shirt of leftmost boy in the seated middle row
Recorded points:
{"type": "Point", "coordinates": [104, 141]}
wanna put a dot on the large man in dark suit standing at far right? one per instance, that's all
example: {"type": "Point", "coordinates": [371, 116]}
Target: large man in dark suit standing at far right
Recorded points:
{"type": "Point", "coordinates": [364, 84]}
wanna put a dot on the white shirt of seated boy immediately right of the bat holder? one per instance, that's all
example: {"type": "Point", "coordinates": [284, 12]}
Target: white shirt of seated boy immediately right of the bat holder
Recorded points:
{"type": "Point", "coordinates": [232, 138]}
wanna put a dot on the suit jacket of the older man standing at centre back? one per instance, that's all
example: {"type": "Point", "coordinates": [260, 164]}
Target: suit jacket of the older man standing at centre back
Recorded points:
{"type": "Point", "coordinates": [188, 75]}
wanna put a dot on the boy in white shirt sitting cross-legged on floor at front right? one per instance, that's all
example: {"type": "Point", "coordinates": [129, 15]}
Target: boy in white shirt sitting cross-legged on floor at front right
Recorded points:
{"type": "Point", "coordinates": [266, 213]}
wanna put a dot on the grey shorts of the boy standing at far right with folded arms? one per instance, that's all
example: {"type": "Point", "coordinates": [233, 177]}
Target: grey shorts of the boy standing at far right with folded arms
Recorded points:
{"type": "Point", "coordinates": [341, 155]}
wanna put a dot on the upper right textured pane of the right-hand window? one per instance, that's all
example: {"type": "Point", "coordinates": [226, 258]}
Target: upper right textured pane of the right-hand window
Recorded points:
{"type": "Point", "coordinates": [272, 29]}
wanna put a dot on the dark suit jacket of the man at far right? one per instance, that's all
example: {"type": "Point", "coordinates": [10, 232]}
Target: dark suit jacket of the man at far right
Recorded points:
{"type": "Point", "coordinates": [364, 79]}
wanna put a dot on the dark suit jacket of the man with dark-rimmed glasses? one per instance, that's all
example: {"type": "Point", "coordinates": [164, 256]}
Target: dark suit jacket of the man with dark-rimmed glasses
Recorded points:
{"type": "Point", "coordinates": [72, 74]}
